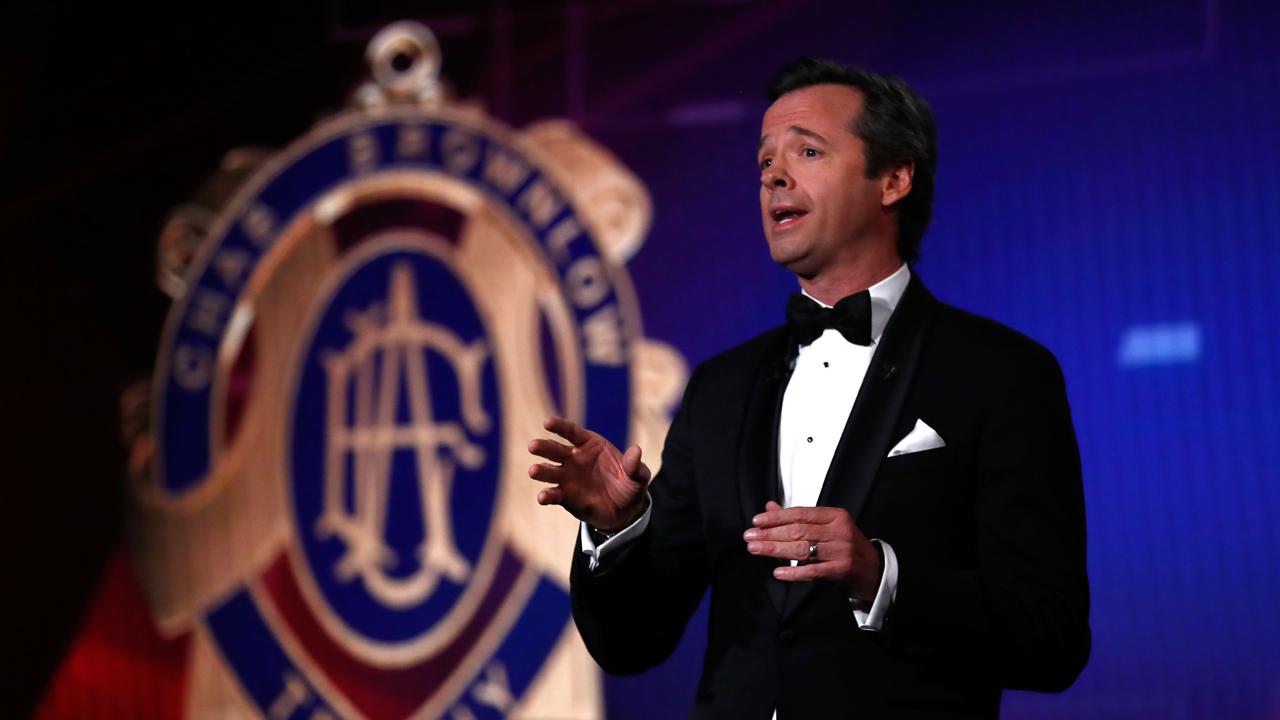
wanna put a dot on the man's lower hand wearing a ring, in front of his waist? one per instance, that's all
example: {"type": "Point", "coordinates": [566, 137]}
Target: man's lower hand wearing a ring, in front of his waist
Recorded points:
{"type": "Point", "coordinates": [844, 555]}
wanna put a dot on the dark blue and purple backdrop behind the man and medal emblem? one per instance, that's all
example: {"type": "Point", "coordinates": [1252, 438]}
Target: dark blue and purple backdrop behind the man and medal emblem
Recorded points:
{"type": "Point", "coordinates": [1109, 184]}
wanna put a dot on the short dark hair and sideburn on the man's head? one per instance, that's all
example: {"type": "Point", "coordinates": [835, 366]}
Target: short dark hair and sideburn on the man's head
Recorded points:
{"type": "Point", "coordinates": [897, 126]}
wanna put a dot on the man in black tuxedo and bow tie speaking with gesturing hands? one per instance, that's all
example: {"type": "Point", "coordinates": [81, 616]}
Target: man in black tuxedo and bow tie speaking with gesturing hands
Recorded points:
{"type": "Point", "coordinates": [884, 495]}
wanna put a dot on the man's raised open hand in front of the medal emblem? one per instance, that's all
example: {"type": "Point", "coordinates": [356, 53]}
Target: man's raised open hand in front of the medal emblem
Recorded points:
{"type": "Point", "coordinates": [592, 480]}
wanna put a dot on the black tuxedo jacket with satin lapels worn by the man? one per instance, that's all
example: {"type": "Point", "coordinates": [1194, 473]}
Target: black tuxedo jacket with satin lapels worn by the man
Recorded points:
{"type": "Point", "coordinates": [989, 532]}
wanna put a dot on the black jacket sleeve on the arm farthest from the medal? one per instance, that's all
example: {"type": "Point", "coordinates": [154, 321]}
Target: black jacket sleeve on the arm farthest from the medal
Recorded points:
{"type": "Point", "coordinates": [1022, 618]}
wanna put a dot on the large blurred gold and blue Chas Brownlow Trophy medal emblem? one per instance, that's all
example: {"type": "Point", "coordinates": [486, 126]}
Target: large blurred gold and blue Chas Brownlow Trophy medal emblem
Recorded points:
{"type": "Point", "coordinates": [360, 348]}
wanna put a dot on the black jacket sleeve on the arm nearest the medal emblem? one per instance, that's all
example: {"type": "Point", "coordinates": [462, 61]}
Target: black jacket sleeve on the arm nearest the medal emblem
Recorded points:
{"type": "Point", "coordinates": [633, 610]}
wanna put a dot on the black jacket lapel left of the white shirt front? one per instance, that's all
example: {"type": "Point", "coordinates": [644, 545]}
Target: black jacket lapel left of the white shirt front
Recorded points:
{"type": "Point", "coordinates": [760, 449]}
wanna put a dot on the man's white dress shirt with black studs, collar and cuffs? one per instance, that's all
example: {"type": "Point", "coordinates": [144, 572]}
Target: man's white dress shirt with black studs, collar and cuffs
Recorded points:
{"type": "Point", "coordinates": [825, 384]}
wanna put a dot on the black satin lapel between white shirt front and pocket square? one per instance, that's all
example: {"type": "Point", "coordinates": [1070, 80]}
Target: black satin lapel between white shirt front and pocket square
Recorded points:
{"type": "Point", "coordinates": [876, 413]}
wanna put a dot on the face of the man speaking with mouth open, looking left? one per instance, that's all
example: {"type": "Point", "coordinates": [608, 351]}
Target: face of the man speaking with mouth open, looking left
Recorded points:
{"type": "Point", "coordinates": [817, 203]}
